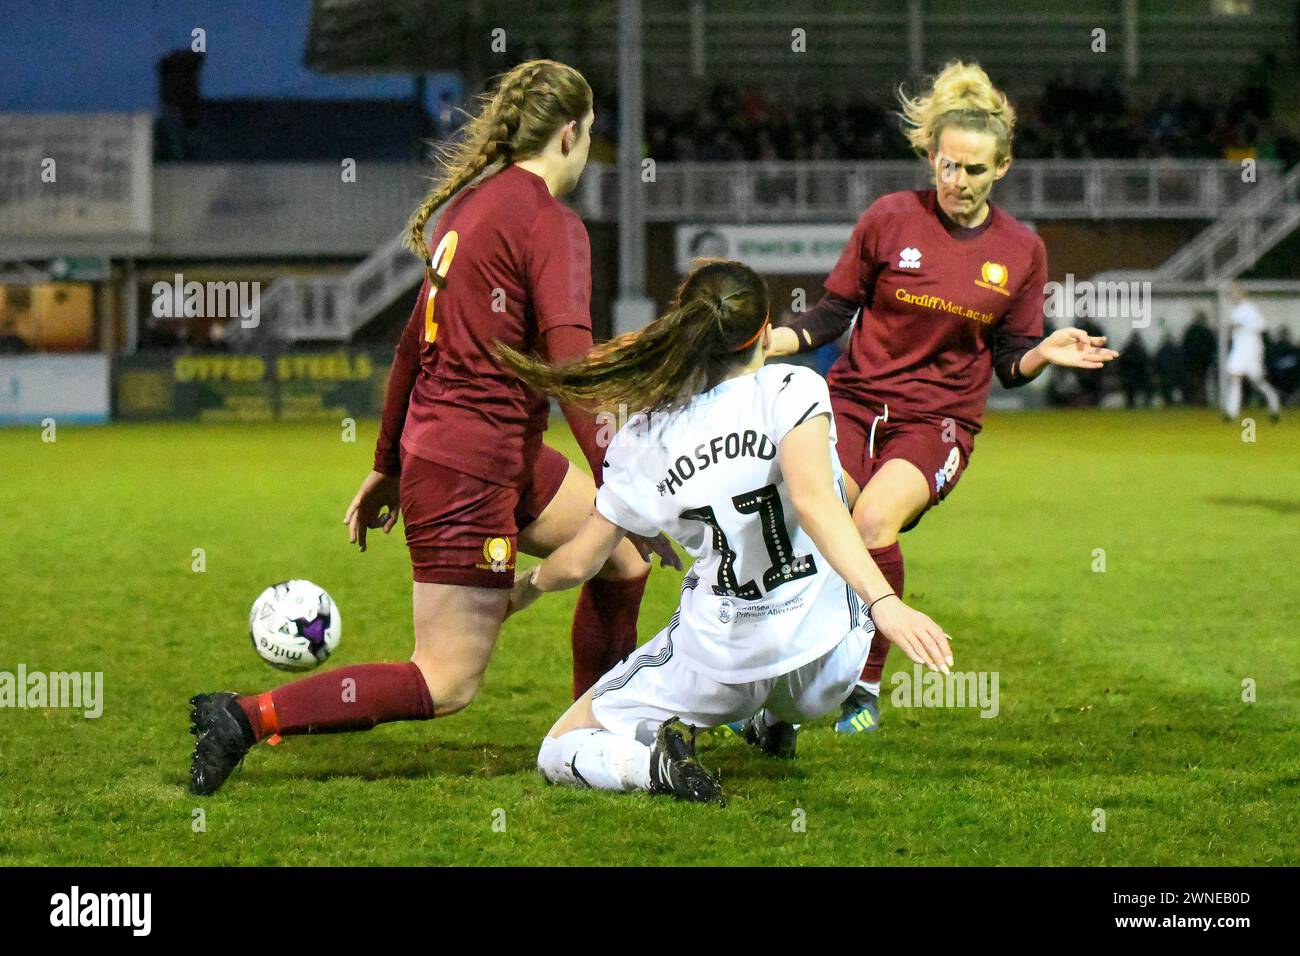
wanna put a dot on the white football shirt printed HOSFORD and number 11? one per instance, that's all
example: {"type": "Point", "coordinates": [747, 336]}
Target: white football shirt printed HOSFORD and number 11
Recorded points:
{"type": "Point", "coordinates": [760, 600]}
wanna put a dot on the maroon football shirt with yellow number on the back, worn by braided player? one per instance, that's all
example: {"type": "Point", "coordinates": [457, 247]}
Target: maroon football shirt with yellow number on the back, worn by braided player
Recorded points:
{"type": "Point", "coordinates": [522, 267]}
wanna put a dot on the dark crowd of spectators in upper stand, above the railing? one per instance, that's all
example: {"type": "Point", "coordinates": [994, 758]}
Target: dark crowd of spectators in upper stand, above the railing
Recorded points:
{"type": "Point", "coordinates": [1073, 118]}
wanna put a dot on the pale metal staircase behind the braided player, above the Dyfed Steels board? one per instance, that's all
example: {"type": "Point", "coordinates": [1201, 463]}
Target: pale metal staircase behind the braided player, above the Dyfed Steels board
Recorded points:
{"type": "Point", "coordinates": [298, 309]}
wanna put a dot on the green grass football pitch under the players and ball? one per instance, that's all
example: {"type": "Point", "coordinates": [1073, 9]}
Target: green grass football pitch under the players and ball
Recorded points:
{"type": "Point", "coordinates": [1120, 690]}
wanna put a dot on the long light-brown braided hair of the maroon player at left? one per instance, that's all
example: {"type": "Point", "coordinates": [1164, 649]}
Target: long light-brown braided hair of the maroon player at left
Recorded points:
{"type": "Point", "coordinates": [514, 122]}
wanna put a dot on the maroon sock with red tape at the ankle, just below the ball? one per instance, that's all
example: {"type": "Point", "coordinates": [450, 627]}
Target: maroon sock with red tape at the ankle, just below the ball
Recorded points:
{"type": "Point", "coordinates": [341, 700]}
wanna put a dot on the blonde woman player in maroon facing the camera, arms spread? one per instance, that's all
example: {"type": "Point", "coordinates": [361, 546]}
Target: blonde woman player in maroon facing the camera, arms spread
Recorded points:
{"type": "Point", "coordinates": [951, 289]}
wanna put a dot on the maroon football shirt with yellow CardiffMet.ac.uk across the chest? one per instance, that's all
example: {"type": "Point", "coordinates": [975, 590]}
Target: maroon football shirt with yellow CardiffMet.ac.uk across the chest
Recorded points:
{"type": "Point", "coordinates": [934, 300]}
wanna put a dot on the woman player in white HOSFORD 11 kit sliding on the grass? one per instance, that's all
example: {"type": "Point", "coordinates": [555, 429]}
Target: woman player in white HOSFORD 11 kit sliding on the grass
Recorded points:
{"type": "Point", "coordinates": [736, 462]}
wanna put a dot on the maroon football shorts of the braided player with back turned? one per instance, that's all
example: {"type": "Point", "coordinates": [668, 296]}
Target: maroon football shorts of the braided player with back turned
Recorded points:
{"type": "Point", "coordinates": [462, 530]}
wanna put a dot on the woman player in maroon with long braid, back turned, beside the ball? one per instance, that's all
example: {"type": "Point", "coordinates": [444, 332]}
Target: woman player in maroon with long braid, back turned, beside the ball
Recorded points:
{"type": "Point", "coordinates": [461, 449]}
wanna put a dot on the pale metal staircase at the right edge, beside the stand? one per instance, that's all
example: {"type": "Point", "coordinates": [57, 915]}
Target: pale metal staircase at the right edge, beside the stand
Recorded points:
{"type": "Point", "coordinates": [1234, 243]}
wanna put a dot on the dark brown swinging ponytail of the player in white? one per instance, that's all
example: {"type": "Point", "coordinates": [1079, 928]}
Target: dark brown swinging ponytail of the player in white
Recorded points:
{"type": "Point", "coordinates": [717, 318]}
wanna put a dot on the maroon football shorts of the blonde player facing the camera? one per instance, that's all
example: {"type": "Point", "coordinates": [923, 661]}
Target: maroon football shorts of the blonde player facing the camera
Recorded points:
{"type": "Point", "coordinates": [941, 452]}
